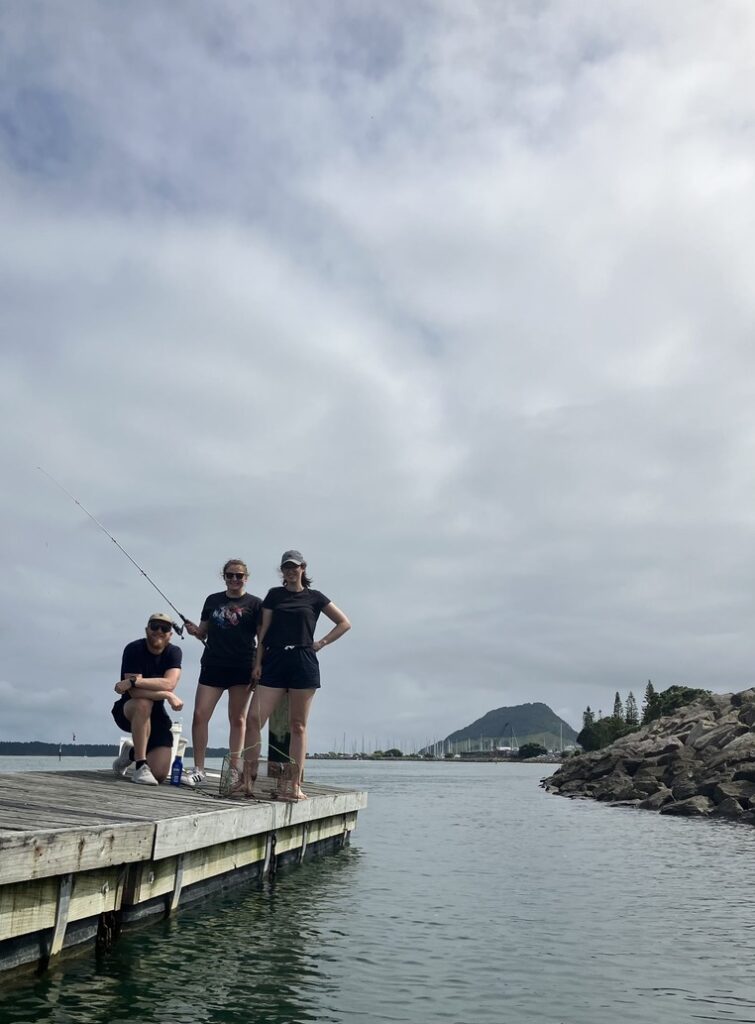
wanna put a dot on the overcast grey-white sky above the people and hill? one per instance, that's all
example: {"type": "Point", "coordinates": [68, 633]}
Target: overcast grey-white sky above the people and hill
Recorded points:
{"type": "Point", "coordinates": [456, 298]}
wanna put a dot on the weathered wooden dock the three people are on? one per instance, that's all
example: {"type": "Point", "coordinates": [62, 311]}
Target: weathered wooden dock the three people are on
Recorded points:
{"type": "Point", "coordinates": [85, 854]}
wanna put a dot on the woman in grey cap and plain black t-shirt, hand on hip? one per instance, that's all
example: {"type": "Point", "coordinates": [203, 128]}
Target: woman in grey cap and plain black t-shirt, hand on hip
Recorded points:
{"type": "Point", "coordinates": [287, 662]}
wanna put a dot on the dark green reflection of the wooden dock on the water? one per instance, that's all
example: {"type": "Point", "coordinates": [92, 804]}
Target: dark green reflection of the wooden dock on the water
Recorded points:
{"type": "Point", "coordinates": [256, 957]}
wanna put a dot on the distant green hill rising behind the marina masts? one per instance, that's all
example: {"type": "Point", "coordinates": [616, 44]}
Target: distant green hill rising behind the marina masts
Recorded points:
{"type": "Point", "coordinates": [534, 723]}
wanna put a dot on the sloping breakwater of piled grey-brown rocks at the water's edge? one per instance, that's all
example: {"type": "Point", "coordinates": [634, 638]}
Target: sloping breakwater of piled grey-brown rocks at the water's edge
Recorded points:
{"type": "Point", "coordinates": [699, 761]}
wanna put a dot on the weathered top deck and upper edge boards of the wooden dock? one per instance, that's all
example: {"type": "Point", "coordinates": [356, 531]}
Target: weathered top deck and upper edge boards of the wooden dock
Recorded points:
{"type": "Point", "coordinates": [55, 823]}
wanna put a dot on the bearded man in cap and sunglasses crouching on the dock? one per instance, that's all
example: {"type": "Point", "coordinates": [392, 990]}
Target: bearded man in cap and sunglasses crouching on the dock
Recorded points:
{"type": "Point", "coordinates": [151, 669]}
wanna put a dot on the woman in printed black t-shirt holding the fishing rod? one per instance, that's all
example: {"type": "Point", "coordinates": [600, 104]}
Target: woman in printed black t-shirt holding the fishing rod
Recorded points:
{"type": "Point", "coordinates": [229, 625]}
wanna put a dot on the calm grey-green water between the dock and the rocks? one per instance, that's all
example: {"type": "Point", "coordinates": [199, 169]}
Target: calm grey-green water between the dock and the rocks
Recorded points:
{"type": "Point", "coordinates": [469, 895]}
